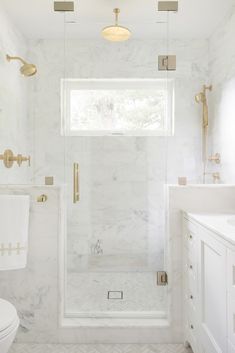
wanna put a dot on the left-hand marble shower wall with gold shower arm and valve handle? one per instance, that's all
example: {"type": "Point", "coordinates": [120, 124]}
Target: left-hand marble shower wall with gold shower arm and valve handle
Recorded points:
{"type": "Point", "coordinates": [14, 120]}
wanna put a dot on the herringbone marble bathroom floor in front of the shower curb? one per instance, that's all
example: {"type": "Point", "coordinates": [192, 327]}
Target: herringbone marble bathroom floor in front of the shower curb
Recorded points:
{"type": "Point", "coordinates": [99, 348]}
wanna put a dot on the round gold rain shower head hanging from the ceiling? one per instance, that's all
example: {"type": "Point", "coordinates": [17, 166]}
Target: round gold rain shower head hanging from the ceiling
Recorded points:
{"type": "Point", "coordinates": [116, 33]}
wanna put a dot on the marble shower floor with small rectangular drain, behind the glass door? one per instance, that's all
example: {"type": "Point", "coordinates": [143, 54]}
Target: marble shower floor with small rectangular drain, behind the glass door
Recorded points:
{"type": "Point", "coordinates": [139, 292]}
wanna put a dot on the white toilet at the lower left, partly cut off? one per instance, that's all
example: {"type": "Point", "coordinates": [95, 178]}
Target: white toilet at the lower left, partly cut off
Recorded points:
{"type": "Point", "coordinates": [9, 323]}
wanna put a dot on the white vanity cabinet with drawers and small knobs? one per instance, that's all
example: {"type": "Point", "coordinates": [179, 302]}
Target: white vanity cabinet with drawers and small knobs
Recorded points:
{"type": "Point", "coordinates": [209, 288]}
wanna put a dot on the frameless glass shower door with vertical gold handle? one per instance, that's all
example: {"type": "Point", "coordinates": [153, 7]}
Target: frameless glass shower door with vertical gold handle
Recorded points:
{"type": "Point", "coordinates": [115, 123]}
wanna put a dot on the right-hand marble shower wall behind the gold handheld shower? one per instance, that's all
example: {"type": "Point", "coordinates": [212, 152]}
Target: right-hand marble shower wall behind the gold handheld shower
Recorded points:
{"type": "Point", "coordinates": [222, 73]}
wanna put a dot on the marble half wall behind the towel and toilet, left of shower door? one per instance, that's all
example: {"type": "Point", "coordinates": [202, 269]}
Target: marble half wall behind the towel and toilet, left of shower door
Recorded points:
{"type": "Point", "coordinates": [34, 290]}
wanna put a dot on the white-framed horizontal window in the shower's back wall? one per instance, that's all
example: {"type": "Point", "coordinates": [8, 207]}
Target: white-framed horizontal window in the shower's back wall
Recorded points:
{"type": "Point", "coordinates": [117, 107]}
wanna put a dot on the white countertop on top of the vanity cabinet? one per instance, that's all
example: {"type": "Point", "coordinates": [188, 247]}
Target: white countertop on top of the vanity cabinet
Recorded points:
{"type": "Point", "coordinates": [221, 224]}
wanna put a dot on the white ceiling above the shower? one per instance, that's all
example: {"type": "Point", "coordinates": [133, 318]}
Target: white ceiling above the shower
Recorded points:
{"type": "Point", "coordinates": [195, 19]}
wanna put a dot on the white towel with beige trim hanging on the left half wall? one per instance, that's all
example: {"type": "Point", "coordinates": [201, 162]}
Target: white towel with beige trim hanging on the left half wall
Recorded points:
{"type": "Point", "coordinates": [14, 229]}
